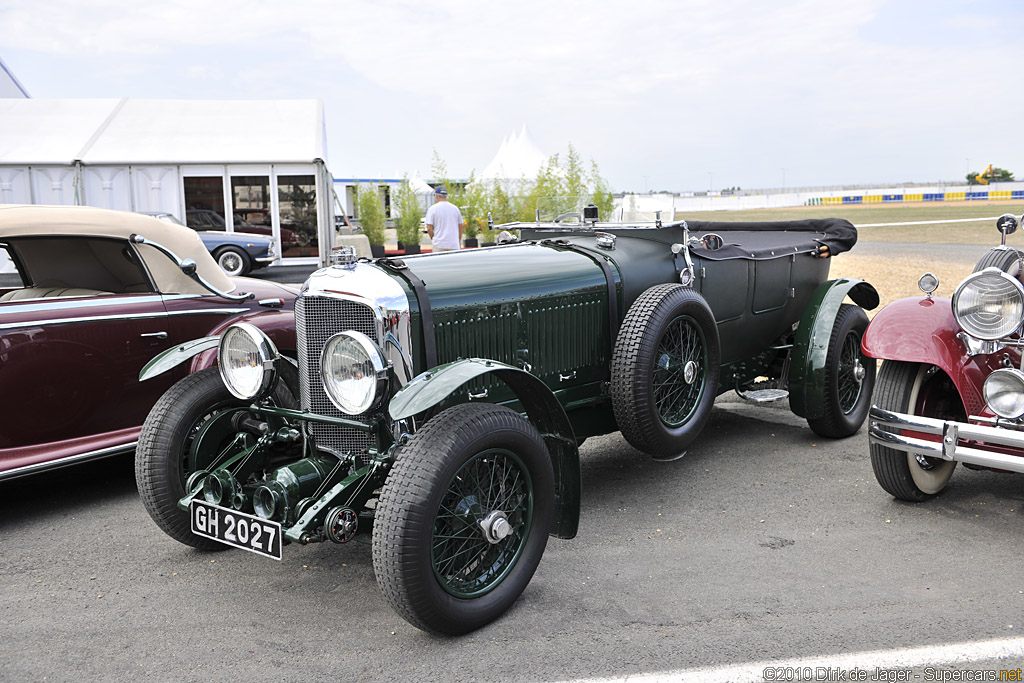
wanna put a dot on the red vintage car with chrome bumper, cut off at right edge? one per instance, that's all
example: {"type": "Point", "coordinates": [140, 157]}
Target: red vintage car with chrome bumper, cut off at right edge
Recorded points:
{"type": "Point", "coordinates": [952, 386]}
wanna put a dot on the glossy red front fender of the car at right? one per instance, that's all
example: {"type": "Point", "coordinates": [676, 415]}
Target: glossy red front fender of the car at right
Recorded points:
{"type": "Point", "coordinates": [923, 330]}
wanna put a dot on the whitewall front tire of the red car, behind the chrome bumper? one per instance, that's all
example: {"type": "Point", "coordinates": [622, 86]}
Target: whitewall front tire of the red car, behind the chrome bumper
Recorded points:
{"type": "Point", "coordinates": [915, 390]}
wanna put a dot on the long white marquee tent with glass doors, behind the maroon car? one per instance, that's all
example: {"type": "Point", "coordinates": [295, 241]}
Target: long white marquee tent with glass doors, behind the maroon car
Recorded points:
{"type": "Point", "coordinates": [241, 159]}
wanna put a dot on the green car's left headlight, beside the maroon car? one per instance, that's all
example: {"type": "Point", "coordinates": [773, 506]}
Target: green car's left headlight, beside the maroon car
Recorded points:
{"type": "Point", "coordinates": [247, 360]}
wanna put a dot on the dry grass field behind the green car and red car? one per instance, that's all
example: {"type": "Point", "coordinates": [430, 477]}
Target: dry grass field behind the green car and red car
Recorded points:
{"type": "Point", "coordinates": [892, 264]}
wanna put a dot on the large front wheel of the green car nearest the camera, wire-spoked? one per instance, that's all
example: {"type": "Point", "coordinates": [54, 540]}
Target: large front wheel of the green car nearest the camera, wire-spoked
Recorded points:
{"type": "Point", "coordinates": [414, 540]}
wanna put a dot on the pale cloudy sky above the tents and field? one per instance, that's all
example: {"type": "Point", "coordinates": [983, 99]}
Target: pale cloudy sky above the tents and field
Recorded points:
{"type": "Point", "coordinates": [673, 95]}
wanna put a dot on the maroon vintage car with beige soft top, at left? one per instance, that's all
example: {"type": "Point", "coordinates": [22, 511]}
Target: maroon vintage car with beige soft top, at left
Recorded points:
{"type": "Point", "coordinates": [88, 298]}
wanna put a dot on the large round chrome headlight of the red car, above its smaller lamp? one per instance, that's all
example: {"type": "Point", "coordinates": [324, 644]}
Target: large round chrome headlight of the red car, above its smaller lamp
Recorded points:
{"type": "Point", "coordinates": [990, 305]}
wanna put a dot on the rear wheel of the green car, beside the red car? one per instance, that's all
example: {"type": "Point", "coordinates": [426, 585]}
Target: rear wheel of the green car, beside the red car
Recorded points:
{"type": "Point", "coordinates": [849, 377]}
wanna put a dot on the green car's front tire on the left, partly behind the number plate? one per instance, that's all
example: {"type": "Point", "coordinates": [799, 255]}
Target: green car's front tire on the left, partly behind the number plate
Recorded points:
{"type": "Point", "coordinates": [162, 460]}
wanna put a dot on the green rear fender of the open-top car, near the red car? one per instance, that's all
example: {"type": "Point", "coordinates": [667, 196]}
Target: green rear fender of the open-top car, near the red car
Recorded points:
{"type": "Point", "coordinates": [810, 351]}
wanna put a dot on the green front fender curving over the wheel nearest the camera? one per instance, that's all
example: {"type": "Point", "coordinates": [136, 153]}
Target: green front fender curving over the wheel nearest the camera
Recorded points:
{"type": "Point", "coordinates": [543, 410]}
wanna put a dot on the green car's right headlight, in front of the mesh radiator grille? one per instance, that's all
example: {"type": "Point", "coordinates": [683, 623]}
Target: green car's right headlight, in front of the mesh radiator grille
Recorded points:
{"type": "Point", "coordinates": [375, 370]}
